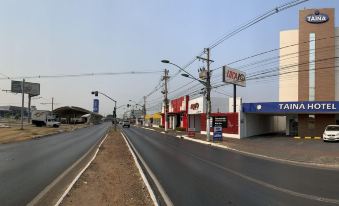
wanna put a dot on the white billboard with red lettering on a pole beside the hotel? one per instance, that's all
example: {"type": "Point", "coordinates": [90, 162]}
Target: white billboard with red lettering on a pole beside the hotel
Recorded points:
{"type": "Point", "coordinates": [234, 76]}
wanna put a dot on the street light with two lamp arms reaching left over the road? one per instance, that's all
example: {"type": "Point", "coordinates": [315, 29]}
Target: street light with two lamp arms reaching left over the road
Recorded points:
{"type": "Point", "coordinates": [207, 85]}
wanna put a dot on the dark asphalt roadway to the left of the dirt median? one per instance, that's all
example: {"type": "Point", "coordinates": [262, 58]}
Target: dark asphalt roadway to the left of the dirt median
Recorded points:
{"type": "Point", "coordinates": [26, 168]}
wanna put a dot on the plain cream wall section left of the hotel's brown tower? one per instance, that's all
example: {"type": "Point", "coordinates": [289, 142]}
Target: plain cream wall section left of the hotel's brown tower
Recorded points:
{"type": "Point", "coordinates": [288, 82]}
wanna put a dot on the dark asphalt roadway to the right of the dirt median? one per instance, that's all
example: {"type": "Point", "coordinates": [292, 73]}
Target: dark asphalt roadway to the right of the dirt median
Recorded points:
{"type": "Point", "coordinates": [196, 174]}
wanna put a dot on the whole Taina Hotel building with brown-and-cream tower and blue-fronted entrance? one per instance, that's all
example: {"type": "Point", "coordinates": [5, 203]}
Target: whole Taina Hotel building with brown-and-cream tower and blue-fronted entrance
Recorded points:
{"type": "Point", "coordinates": [308, 80]}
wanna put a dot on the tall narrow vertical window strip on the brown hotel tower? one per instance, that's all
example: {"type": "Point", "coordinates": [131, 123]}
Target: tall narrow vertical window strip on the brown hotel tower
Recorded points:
{"type": "Point", "coordinates": [312, 67]}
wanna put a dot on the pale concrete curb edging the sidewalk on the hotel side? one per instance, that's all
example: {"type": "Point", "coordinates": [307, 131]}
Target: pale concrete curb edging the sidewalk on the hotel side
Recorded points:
{"type": "Point", "coordinates": [292, 162]}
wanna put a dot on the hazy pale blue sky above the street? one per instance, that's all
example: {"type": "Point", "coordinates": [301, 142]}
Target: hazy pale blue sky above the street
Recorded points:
{"type": "Point", "coordinates": [44, 37]}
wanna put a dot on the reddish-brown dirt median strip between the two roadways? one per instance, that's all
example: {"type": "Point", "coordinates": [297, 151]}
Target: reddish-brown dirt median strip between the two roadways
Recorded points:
{"type": "Point", "coordinates": [111, 179]}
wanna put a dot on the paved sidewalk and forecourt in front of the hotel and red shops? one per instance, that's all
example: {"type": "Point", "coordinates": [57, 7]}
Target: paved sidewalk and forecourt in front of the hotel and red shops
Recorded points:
{"type": "Point", "coordinates": [312, 152]}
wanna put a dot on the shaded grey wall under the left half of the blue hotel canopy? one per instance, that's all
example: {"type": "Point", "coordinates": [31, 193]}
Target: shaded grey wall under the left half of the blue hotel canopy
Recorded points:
{"type": "Point", "coordinates": [255, 124]}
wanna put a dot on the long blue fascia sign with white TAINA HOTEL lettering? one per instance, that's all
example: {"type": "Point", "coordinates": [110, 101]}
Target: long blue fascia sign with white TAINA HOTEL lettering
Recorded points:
{"type": "Point", "coordinates": [292, 107]}
